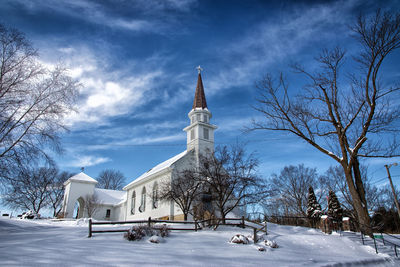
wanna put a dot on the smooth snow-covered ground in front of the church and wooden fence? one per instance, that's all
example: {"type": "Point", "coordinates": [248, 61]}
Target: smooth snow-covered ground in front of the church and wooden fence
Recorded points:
{"type": "Point", "coordinates": [45, 242]}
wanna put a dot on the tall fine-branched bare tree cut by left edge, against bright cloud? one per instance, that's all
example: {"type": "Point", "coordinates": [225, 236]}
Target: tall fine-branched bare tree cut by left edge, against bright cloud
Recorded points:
{"type": "Point", "coordinates": [33, 102]}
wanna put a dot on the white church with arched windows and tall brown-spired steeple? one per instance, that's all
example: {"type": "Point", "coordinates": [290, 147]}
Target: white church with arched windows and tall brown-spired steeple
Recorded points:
{"type": "Point", "coordinates": [139, 200]}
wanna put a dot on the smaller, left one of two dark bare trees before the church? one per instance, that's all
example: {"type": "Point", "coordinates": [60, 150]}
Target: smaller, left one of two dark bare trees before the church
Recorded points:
{"type": "Point", "coordinates": [184, 189]}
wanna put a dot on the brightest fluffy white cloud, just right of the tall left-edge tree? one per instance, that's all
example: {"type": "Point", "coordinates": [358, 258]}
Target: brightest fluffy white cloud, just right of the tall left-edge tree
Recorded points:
{"type": "Point", "coordinates": [104, 93]}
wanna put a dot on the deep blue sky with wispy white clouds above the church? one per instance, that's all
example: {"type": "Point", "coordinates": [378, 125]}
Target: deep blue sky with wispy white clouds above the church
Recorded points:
{"type": "Point", "coordinates": [136, 61]}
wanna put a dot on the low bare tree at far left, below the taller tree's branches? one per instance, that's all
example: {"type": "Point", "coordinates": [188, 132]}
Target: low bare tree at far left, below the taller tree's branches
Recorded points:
{"type": "Point", "coordinates": [30, 189]}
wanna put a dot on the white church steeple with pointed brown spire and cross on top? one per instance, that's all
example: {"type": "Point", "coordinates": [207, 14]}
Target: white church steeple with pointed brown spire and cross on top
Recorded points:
{"type": "Point", "coordinates": [200, 133]}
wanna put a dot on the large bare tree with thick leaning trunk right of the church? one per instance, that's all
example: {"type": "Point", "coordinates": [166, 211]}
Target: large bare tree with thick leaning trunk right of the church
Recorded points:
{"type": "Point", "coordinates": [344, 121]}
